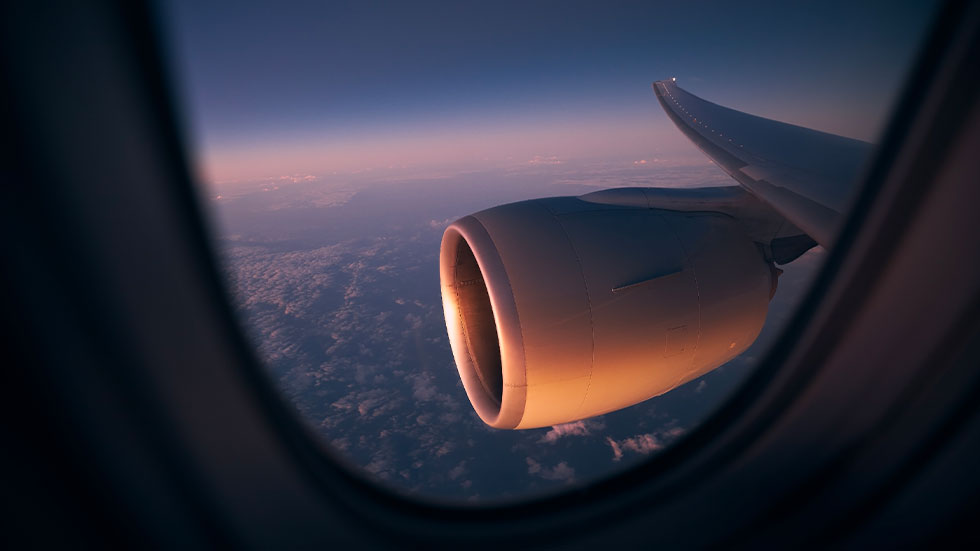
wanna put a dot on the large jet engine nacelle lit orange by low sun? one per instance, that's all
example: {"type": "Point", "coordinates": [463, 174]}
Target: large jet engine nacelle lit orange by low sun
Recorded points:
{"type": "Point", "coordinates": [563, 308]}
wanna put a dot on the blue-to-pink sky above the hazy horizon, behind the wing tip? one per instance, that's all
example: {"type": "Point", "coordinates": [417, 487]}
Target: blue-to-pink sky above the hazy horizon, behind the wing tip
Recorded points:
{"type": "Point", "coordinates": [270, 89]}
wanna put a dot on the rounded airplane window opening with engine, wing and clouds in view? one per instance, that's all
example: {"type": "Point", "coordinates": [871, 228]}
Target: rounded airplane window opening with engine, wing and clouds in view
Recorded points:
{"type": "Point", "coordinates": [341, 146]}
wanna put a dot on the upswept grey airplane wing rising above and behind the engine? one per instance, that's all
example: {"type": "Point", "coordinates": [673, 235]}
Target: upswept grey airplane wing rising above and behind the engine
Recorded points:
{"type": "Point", "coordinates": [804, 174]}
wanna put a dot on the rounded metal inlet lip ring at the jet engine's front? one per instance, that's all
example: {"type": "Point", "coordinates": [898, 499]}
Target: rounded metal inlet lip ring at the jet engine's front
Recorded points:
{"type": "Point", "coordinates": [509, 410]}
